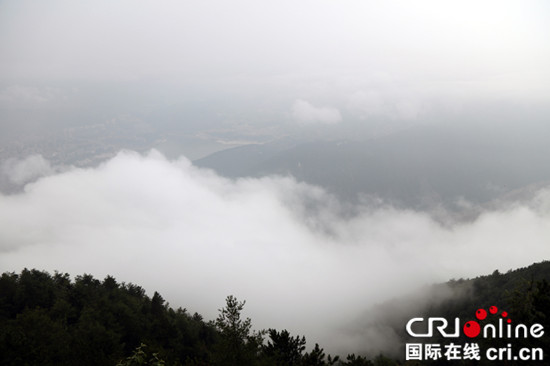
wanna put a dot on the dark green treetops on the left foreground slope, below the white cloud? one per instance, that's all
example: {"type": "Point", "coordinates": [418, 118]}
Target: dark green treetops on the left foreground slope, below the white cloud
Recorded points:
{"type": "Point", "coordinates": [51, 320]}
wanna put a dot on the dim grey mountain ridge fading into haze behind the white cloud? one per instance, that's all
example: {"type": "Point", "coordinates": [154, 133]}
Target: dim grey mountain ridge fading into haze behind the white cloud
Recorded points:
{"type": "Point", "coordinates": [416, 168]}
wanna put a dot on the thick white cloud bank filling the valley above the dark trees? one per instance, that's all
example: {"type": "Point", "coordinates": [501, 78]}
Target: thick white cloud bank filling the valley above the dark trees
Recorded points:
{"type": "Point", "coordinates": [288, 248]}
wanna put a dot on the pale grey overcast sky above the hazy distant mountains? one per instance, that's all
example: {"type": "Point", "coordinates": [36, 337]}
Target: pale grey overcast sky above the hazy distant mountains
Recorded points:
{"type": "Point", "coordinates": [356, 55]}
